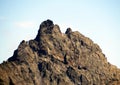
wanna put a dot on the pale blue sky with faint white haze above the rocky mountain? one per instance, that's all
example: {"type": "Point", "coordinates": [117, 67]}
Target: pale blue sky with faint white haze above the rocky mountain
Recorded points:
{"type": "Point", "coordinates": [96, 19]}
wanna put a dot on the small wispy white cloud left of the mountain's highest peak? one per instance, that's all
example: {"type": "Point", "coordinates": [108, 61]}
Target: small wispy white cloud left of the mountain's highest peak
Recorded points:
{"type": "Point", "coordinates": [25, 24]}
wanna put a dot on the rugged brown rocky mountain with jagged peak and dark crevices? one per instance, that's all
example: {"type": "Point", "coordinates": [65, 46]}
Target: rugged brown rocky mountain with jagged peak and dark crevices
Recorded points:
{"type": "Point", "coordinates": [55, 58]}
